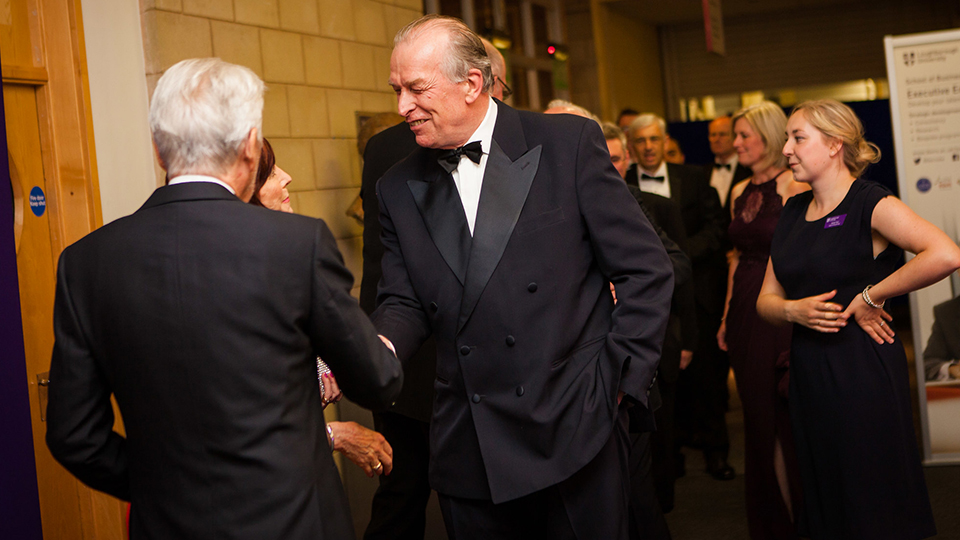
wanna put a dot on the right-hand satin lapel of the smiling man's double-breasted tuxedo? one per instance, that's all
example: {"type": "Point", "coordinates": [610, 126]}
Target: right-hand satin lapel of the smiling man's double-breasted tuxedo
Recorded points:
{"type": "Point", "coordinates": [505, 188]}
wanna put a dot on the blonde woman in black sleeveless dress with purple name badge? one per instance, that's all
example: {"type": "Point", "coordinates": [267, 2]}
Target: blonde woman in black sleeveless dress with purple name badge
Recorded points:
{"type": "Point", "coordinates": [833, 263]}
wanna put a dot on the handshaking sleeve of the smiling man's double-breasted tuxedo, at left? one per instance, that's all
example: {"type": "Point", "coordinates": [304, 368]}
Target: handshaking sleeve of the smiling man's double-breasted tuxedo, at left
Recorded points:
{"type": "Point", "coordinates": [399, 315]}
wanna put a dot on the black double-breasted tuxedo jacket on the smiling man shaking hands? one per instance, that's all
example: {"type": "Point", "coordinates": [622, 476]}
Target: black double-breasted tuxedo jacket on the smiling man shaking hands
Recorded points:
{"type": "Point", "coordinates": [531, 351]}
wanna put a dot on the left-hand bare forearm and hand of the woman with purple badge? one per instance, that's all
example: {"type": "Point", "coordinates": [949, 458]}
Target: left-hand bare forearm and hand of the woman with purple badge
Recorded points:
{"type": "Point", "coordinates": [814, 312]}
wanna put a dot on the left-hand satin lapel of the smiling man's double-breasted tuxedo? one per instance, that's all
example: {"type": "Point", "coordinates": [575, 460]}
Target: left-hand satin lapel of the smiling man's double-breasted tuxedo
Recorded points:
{"type": "Point", "coordinates": [442, 212]}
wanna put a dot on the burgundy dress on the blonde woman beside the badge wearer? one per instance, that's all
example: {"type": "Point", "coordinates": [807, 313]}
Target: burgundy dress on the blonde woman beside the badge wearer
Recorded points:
{"type": "Point", "coordinates": [754, 347]}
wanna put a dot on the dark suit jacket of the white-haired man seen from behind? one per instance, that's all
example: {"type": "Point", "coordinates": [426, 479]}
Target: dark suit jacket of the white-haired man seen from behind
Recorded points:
{"type": "Point", "coordinates": [204, 315]}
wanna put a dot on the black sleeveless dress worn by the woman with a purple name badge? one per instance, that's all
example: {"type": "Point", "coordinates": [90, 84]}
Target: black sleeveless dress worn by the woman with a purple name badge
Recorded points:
{"type": "Point", "coordinates": [849, 396]}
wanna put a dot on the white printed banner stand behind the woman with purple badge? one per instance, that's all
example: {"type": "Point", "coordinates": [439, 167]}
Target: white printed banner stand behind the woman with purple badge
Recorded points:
{"type": "Point", "coordinates": [924, 75]}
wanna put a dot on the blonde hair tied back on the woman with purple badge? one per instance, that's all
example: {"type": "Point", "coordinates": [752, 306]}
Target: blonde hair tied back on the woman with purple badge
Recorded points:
{"type": "Point", "coordinates": [838, 121]}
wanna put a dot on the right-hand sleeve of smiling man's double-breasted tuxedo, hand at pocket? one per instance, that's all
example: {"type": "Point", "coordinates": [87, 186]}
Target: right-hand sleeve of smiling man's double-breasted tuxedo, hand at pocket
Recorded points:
{"type": "Point", "coordinates": [631, 256]}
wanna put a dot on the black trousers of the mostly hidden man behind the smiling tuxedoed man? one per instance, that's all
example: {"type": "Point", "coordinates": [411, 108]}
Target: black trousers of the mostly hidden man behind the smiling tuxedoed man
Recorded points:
{"type": "Point", "coordinates": [399, 505]}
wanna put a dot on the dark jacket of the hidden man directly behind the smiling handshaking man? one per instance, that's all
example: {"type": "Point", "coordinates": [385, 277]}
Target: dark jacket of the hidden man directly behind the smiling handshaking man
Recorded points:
{"type": "Point", "coordinates": [383, 151]}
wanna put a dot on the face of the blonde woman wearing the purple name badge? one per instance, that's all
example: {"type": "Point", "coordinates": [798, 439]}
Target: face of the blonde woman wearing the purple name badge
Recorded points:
{"type": "Point", "coordinates": [809, 154]}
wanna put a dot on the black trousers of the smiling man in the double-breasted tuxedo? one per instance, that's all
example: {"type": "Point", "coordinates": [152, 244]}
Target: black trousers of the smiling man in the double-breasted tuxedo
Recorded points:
{"type": "Point", "coordinates": [591, 504]}
